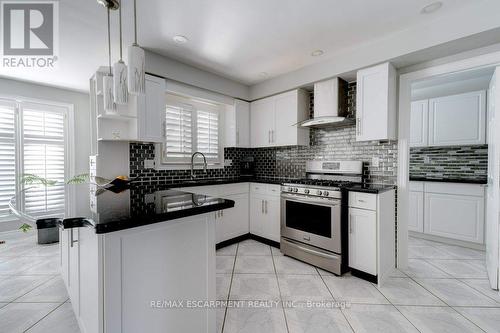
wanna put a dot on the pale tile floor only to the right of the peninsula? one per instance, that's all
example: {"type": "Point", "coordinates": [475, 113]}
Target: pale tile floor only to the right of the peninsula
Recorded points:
{"type": "Point", "coordinates": [445, 289]}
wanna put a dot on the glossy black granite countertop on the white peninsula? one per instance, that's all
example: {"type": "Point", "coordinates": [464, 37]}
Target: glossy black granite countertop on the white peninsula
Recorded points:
{"type": "Point", "coordinates": [115, 209]}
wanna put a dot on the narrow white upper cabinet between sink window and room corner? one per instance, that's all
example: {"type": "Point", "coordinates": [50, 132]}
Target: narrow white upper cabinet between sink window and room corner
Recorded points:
{"type": "Point", "coordinates": [237, 125]}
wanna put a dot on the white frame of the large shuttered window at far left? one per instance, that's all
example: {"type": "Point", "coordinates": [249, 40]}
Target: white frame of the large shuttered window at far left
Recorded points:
{"type": "Point", "coordinates": [69, 145]}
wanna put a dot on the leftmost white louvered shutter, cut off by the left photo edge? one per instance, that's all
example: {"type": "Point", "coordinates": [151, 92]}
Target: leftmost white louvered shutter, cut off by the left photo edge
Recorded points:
{"type": "Point", "coordinates": [7, 155]}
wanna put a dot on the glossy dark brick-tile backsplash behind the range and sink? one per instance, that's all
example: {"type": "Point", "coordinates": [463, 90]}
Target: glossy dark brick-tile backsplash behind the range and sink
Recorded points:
{"type": "Point", "coordinates": [288, 162]}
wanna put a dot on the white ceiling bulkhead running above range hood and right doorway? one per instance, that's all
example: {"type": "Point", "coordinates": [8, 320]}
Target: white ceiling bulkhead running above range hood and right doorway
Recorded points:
{"type": "Point", "coordinates": [473, 20]}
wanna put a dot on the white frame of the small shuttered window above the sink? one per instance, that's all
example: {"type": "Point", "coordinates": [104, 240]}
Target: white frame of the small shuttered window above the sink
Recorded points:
{"type": "Point", "coordinates": [178, 100]}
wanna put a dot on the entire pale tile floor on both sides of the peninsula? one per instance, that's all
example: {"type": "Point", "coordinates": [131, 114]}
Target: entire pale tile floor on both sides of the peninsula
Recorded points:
{"type": "Point", "coordinates": [444, 290]}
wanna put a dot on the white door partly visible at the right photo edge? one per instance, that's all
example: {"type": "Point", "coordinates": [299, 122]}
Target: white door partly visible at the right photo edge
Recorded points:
{"type": "Point", "coordinates": [492, 192]}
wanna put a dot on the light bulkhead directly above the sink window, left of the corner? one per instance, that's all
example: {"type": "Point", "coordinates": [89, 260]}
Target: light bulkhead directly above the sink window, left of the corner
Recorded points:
{"type": "Point", "coordinates": [177, 71]}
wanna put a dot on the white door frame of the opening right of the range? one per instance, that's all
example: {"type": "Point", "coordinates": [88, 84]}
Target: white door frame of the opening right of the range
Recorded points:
{"type": "Point", "coordinates": [405, 82]}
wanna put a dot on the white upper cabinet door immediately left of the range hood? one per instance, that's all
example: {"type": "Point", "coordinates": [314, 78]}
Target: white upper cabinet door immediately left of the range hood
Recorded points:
{"type": "Point", "coordinates": [285, 110]}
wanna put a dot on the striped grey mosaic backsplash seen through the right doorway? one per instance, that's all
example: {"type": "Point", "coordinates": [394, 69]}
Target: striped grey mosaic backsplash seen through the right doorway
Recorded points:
{"type": "Point", "coordinates": [461, 162]}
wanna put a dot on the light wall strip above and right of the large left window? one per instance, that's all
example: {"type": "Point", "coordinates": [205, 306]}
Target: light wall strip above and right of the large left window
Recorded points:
{"type": "Point", "coordinates": [82, 119]}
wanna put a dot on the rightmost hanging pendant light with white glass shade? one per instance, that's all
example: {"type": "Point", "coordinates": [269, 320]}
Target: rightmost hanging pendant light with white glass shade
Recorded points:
{"type": "Point", "coordinates": [136, 63]}
